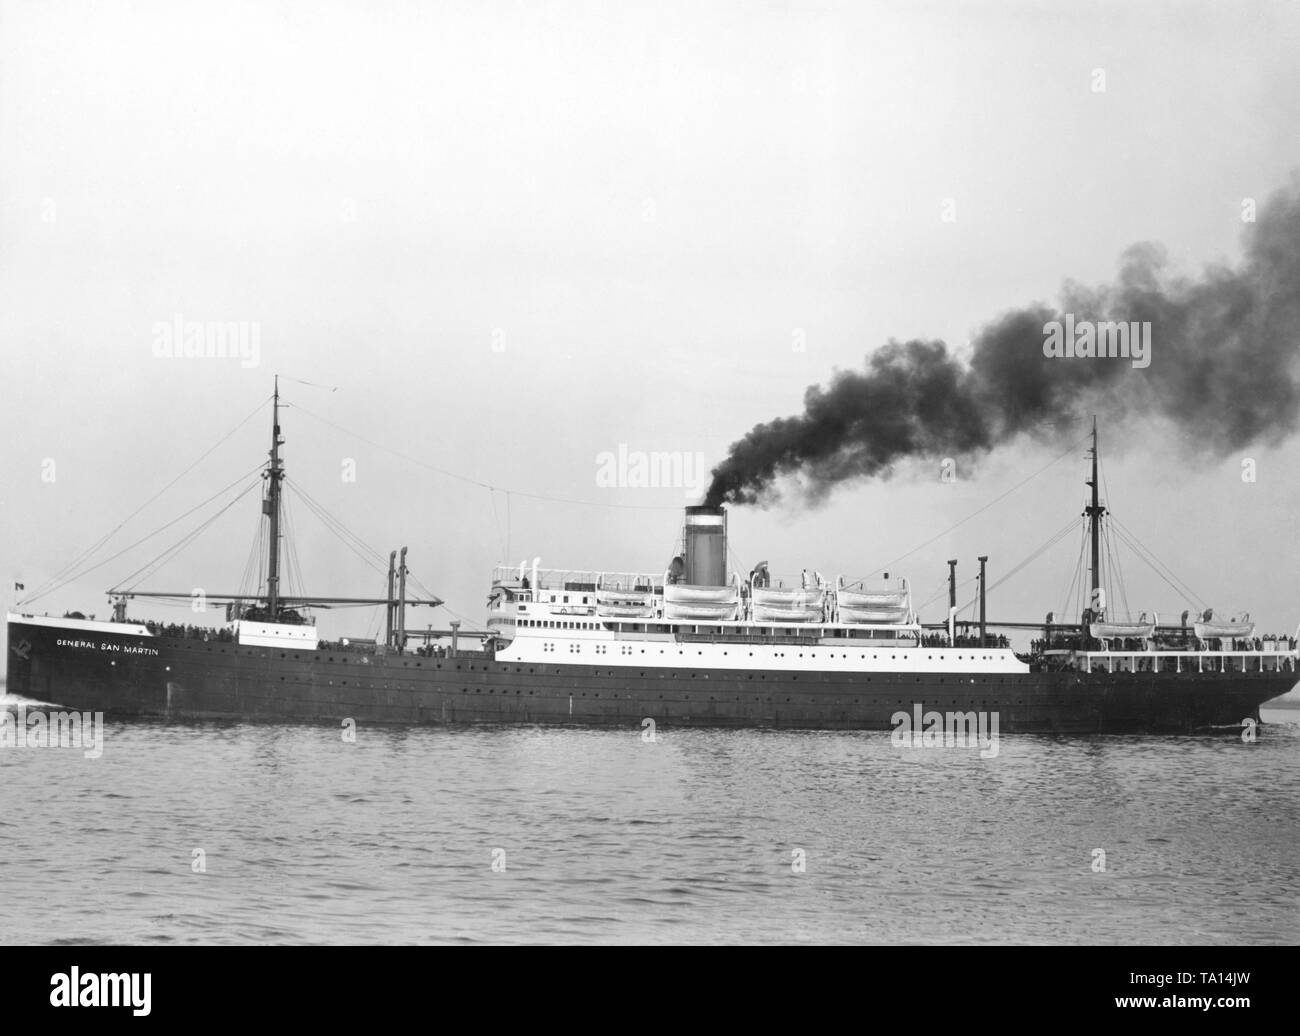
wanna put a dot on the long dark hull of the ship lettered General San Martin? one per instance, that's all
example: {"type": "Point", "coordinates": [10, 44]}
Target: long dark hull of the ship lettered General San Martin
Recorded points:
{"type": "Point", "coordinates": [196, 680]}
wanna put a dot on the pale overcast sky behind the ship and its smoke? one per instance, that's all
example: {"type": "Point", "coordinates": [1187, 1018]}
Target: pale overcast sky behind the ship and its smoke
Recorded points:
{"type": "Point", "coordinates": [512, 237]}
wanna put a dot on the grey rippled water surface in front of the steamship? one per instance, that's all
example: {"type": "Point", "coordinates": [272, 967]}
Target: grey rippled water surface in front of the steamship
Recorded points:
{"type": "Point", "coordinates": [609, 839]}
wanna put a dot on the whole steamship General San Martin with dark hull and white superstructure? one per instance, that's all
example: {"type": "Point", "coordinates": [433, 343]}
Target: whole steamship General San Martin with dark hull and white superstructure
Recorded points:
{"type": "Point", "coordinates": [682, 648]}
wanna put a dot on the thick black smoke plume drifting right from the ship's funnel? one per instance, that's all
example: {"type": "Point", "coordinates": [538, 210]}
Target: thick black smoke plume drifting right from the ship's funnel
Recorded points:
{"type": "Point", "coordinates": [1224, 371]}
